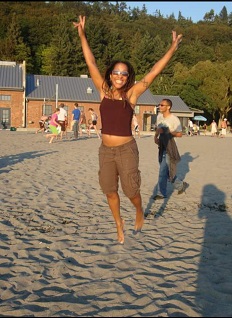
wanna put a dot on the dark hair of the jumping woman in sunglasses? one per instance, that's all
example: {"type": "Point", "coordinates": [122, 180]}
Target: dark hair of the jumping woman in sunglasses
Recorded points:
{"type": "Point", "coordinates": [107, 82]}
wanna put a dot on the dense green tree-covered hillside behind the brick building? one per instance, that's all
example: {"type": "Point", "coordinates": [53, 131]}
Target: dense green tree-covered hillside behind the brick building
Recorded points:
{"type": "Point", "coordinates": [42, 34]}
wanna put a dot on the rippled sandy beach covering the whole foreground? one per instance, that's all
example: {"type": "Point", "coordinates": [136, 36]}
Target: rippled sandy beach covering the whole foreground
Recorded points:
{"type": "Point", "coordinates": [59, 251]}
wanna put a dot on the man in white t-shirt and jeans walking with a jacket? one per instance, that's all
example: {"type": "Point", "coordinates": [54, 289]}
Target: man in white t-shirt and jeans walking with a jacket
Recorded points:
{"type": "Point", "coordinates": [168, 127]}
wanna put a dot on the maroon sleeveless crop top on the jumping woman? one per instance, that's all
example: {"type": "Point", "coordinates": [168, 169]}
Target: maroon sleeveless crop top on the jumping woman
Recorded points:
{"type": "Point", "coordinates": [116, 117]}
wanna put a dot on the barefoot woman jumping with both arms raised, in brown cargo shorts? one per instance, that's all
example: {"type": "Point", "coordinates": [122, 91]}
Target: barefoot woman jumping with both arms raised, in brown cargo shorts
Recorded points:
{"type": "Point", "coordinates": [118, 152]}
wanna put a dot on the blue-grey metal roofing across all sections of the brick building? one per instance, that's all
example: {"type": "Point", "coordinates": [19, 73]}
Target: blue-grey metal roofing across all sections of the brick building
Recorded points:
{"type": "Point", "coordinates": [81, 89]}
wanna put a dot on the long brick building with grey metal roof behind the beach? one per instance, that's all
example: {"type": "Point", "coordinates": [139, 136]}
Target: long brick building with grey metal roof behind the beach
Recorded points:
{"type": "Point", "coordinates": [25, 97]}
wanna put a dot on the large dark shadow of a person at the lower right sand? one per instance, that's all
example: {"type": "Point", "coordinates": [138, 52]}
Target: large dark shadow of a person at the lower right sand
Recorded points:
{"type": "Point", "coordinates": [214, 282]}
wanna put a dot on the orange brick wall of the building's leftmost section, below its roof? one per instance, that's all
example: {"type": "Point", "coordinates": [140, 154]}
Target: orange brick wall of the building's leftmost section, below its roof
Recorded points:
{"type": "Point", "coordinates": [16, 105]}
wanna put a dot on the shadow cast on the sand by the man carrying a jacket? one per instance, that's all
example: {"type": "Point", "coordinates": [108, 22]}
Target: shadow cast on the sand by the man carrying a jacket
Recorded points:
{"type": "Point", "coordinates": [182, 170]}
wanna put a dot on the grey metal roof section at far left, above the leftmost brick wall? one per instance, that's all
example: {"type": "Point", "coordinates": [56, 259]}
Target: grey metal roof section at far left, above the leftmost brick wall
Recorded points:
{"type": "Point", "coordinates": [11, 76]}
